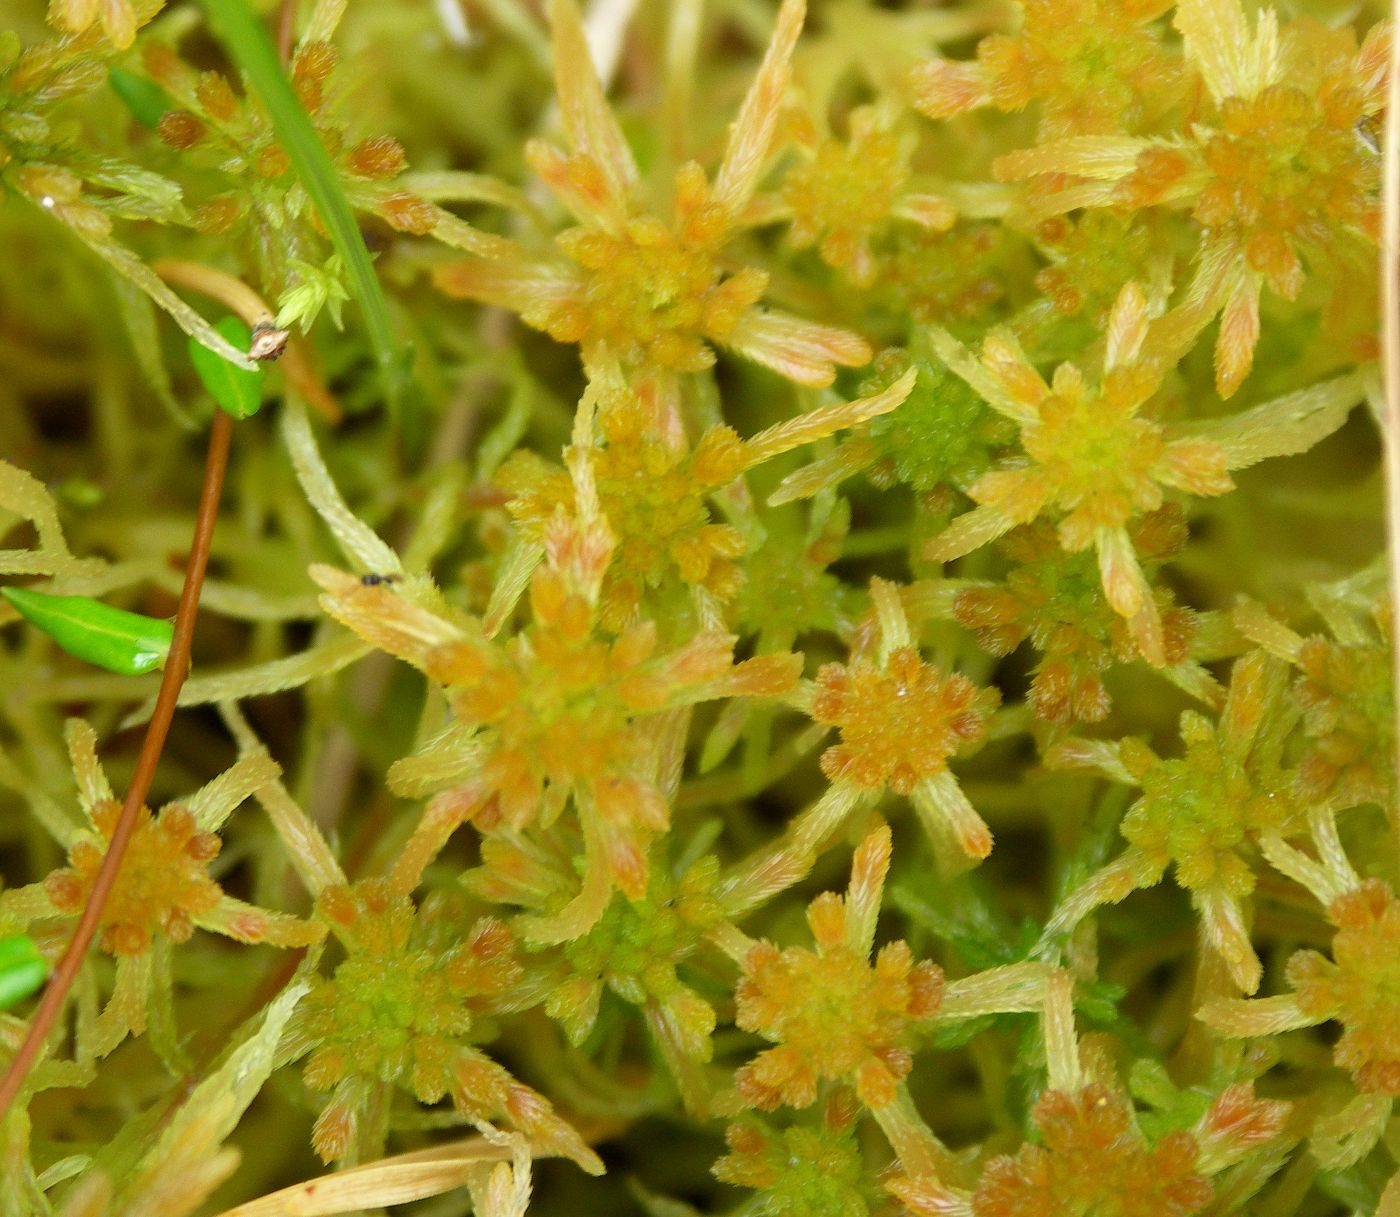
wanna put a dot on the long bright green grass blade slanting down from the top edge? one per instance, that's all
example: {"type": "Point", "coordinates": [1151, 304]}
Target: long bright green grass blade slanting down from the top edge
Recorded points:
{"type": "Point", "coordinates": [251, 50]}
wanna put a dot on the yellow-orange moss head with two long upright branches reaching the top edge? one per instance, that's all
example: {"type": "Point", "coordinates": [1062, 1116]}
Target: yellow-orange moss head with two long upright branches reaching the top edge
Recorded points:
{"type": "Point", "coordinates": [633, 291]}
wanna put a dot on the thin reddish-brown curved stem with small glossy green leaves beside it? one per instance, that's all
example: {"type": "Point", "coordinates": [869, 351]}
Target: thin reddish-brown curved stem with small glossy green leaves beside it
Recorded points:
{"type": "Point", "coordinates": [177, 667]}
